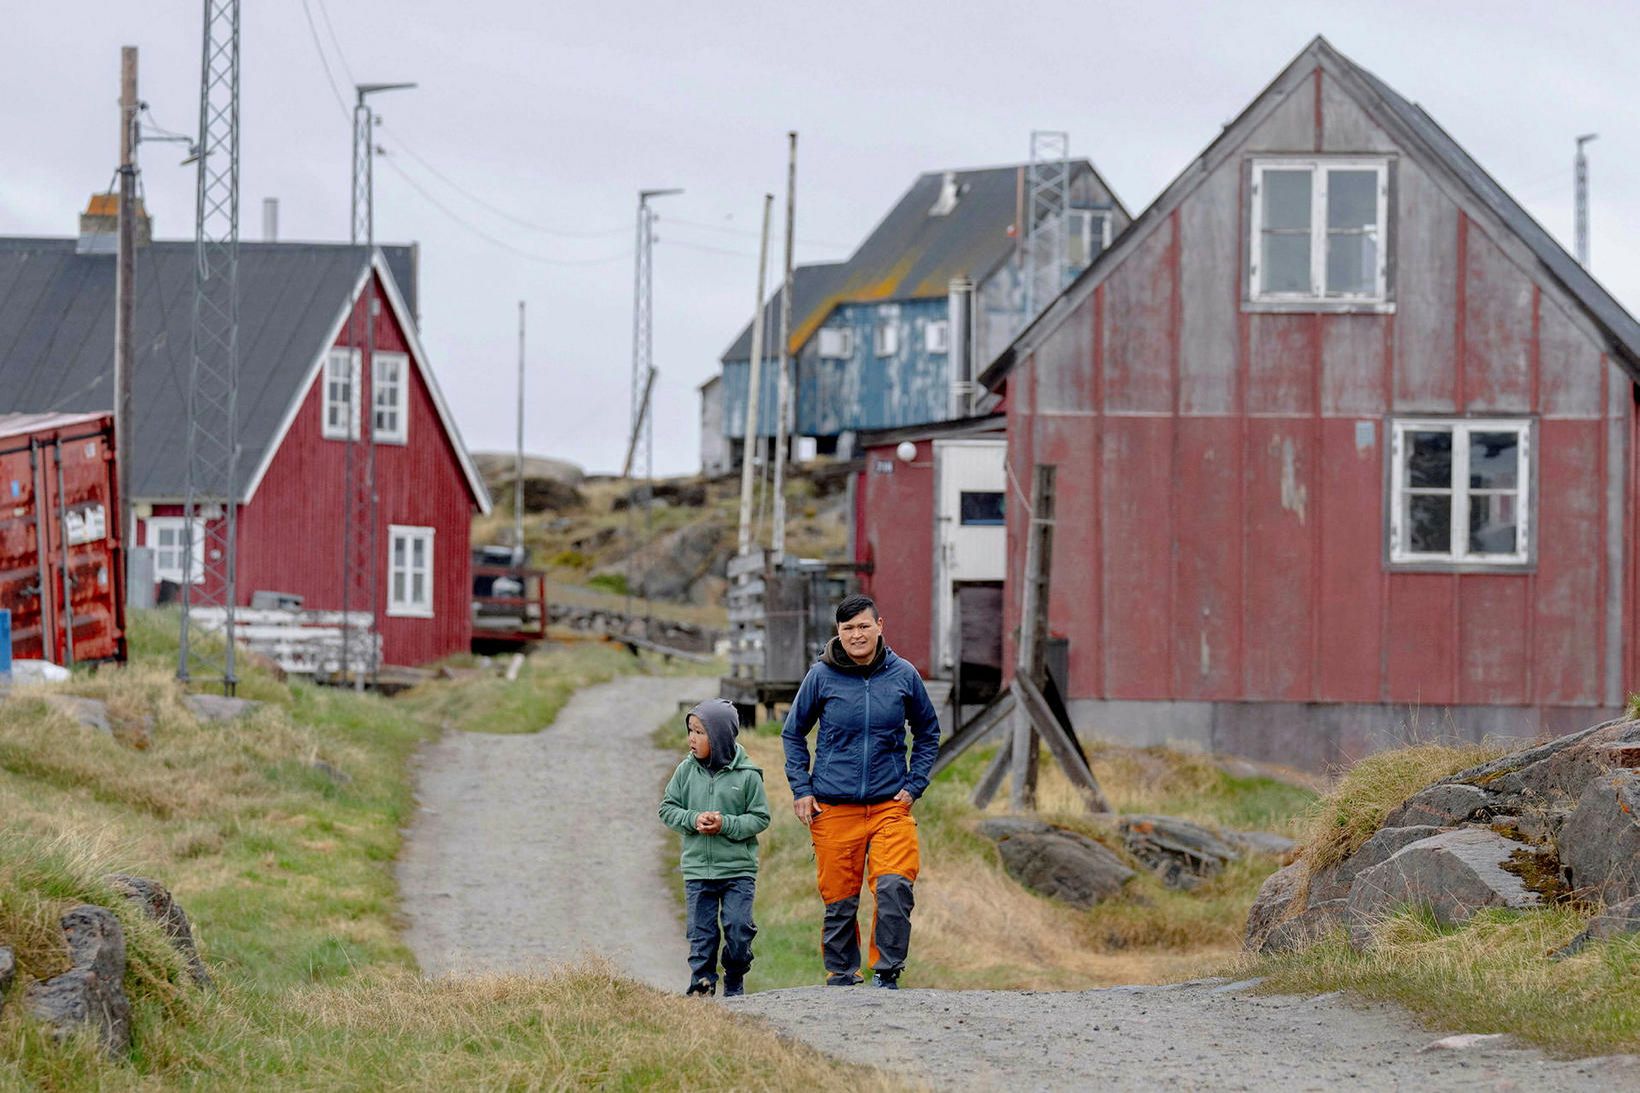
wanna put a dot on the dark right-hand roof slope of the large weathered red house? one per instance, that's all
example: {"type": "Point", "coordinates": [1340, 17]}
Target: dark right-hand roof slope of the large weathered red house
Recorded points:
{"type": "Point", "coordinates": [1606, 311]}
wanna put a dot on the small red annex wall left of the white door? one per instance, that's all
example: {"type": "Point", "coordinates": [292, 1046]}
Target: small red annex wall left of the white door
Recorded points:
{"type": "Point", "coordinates": [895, 511]}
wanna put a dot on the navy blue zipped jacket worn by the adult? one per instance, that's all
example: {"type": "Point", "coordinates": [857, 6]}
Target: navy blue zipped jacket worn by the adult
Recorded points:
{"type": "Point", "coordinates": [862, 711]}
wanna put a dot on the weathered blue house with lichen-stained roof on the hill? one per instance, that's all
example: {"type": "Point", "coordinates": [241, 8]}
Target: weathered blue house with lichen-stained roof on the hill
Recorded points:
{"type": "Point", "coordinates": [873, 339]}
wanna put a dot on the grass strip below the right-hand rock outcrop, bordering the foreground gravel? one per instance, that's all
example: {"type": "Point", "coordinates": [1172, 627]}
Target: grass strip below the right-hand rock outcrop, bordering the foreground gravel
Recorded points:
{"type": "Point", "coordinates": [1490, 976]}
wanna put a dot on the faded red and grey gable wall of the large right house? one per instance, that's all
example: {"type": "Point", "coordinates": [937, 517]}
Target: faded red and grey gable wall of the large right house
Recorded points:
{"type": "Point", "coordinates": [1223, 514]}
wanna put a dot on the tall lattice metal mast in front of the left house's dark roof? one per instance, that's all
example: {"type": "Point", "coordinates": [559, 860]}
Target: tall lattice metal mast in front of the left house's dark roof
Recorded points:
{"type": "Point", "coordinates": [211, 534]}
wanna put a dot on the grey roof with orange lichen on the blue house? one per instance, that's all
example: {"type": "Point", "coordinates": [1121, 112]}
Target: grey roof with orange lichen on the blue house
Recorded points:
{"type": "Point", "coordinates": [913, 254]}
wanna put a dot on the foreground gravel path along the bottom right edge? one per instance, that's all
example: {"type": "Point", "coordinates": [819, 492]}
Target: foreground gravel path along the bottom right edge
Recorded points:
{"type": "Point", "coordinates": [1195, 1036]}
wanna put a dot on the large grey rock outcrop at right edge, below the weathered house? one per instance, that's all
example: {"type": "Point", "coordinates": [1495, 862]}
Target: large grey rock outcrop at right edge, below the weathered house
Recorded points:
{"type": "Point", "coordinates": [1536, 825]}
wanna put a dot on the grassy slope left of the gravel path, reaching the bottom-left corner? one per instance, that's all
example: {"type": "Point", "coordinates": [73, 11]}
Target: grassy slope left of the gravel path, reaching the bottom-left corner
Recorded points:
{"type": "Point", "coordinates": [288, 876]}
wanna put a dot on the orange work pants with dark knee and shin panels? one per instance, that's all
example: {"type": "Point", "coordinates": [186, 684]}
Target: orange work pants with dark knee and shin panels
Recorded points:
{"type": "Point", "coordinates": [878, 844]}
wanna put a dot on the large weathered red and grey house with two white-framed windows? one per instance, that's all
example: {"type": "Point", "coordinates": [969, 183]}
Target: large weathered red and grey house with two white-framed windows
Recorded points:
{"type": "Point", "coordinates": [1344, 439]}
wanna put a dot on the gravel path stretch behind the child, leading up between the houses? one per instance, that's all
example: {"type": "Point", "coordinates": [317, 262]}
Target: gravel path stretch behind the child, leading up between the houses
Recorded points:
{"type": "Point", "coordinates": [531, 851]}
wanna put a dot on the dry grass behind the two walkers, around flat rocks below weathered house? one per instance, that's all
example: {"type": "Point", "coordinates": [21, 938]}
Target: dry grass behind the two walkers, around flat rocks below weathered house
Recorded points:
{"type": "Point", "coordinates": [977, 928]}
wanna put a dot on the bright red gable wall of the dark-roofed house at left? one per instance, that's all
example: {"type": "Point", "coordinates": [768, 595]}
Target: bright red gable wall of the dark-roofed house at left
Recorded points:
{"type": "Point", "coordinates": [291, 533]}
